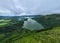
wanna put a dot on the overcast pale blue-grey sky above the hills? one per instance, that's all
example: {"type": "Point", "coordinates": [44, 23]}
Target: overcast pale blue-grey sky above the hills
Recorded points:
{"type": "Point", "coordinates": [28, 7]}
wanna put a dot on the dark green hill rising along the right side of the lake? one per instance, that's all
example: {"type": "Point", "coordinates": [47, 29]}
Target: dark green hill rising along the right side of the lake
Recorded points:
{"type": "Point", "coordinates": [49, 20]}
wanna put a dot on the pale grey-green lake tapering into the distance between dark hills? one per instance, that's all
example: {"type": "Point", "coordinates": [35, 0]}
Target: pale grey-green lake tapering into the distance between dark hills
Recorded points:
{"type": "Point", "coordinates": [32, 25]}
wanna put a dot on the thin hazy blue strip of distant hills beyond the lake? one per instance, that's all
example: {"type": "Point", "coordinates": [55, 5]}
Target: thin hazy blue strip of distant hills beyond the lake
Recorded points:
{"type": "Point", "coordinates": [24, 16]}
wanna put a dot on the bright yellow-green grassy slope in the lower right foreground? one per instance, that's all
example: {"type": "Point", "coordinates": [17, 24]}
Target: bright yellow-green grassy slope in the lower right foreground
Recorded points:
{"type": "Point", "coordinates": [48, 36]}
